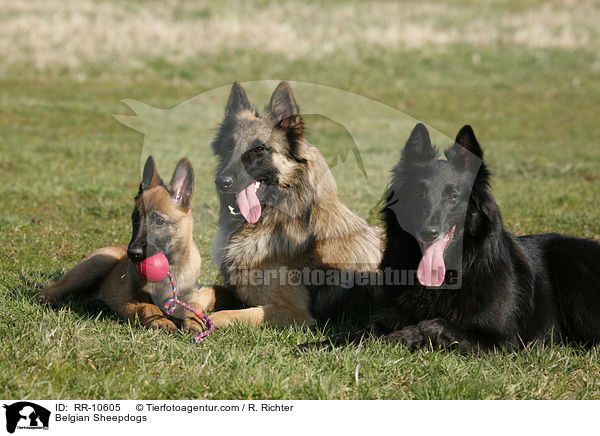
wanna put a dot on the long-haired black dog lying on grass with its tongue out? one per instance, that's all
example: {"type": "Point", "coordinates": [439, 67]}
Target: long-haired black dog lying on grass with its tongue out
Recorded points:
{"type": "Point", "coordinates": [515, 290]}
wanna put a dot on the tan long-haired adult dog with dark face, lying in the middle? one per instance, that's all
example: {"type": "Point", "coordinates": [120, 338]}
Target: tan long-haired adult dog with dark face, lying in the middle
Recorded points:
{"type": "Point", "coordinates": [287, 247]}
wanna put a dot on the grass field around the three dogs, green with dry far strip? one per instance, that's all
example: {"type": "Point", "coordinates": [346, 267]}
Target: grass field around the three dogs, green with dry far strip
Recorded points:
{"type": "Point", "coordinates": [525, 75]}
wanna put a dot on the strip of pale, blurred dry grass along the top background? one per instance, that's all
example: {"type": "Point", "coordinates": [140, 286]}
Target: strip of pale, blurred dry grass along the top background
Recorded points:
{"type": "Point", "coordinates": [50, 36]}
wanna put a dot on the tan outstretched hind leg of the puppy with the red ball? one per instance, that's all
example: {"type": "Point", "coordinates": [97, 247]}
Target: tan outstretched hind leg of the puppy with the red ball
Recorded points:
{"type": "Point", "coordinates": [85, 276]}
